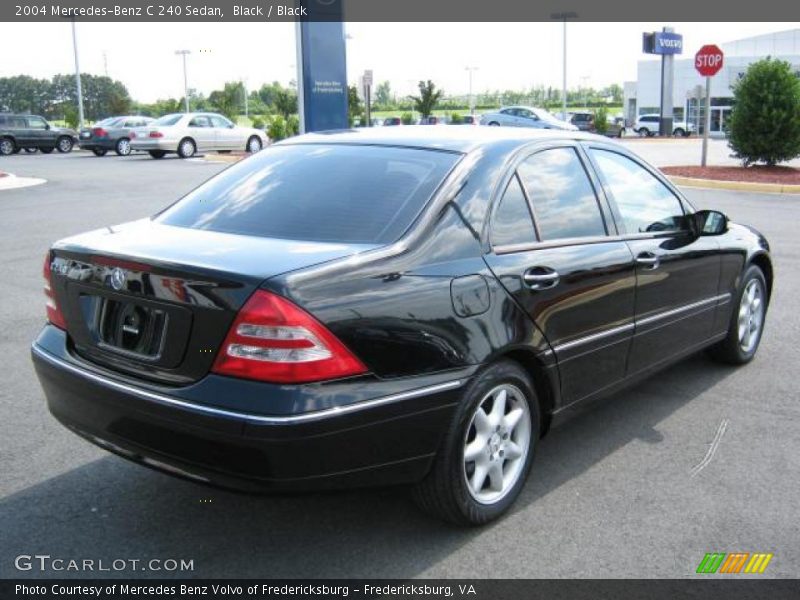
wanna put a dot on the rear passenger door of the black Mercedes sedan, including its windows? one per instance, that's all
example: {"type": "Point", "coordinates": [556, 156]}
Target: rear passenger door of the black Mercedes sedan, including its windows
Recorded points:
{"type": "Point", "coordinates": [552, 251]}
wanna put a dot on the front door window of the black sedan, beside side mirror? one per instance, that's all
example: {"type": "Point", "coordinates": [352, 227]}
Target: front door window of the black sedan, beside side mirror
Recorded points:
{"type": "Point", "coordinates": [644, 203]}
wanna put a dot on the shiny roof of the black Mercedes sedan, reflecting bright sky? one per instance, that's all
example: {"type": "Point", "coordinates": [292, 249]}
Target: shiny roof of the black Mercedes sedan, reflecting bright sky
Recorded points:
{"type": "Point", "coordinates": [453, 139]}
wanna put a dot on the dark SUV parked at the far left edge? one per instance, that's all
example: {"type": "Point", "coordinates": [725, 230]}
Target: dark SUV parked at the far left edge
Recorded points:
{"type": "Point", "coordinates": [33, 132]}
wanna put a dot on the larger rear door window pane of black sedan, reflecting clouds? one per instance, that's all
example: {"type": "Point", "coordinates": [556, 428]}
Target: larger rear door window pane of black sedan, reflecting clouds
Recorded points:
{"type": "Point", "coordinates": [564, 202]}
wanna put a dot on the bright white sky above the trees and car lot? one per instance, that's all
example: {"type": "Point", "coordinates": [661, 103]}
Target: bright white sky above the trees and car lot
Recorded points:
{"type": "Point", "coordinates": [507, 55]}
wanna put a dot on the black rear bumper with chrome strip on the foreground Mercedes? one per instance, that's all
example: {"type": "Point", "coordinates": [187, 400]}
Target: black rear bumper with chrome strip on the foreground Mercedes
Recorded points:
{"type": "Point", "coordinates": [388, 439]}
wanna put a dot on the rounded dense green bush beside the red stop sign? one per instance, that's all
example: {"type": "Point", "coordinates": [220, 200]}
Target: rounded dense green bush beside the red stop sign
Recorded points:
{"type": "Point", "coordinates": [764, 125]}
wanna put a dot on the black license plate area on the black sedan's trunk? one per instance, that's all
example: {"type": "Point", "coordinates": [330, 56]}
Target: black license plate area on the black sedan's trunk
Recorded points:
{"type": "Point", "coordinates": [130, 328]}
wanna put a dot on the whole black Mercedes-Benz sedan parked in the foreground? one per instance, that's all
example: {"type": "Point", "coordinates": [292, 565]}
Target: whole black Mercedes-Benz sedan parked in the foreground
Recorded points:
{"type": "Point", "coordinates": [402, 305]}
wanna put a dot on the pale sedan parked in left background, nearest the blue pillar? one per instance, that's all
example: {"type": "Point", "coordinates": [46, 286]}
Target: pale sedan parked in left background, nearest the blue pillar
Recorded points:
{"type": "Point", "coordinates": [190, 133]}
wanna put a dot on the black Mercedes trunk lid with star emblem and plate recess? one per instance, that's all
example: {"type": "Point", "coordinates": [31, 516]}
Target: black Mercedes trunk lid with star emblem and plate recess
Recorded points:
{"type": "Point", "coordinates": [156, 301]}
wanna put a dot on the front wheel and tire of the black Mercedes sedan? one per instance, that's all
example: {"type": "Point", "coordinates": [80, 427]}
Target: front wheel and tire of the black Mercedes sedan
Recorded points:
{"type": "Point", "coordinates": [747, 318]}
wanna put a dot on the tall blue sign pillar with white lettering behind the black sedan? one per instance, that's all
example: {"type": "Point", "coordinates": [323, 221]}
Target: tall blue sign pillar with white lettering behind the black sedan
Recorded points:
{"type": "Point", "coordinates": [323, 81]}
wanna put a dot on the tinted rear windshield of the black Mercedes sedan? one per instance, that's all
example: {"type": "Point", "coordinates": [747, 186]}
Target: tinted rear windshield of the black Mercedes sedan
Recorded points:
{"type": "Point", "coordinates": [322, 193]}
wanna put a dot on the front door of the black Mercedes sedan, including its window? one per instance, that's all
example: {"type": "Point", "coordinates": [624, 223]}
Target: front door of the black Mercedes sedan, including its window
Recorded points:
{"type": "Point", "coordinates": [677, 271]}
